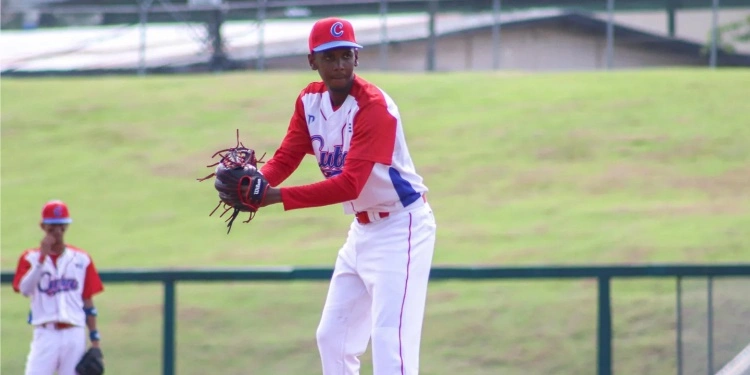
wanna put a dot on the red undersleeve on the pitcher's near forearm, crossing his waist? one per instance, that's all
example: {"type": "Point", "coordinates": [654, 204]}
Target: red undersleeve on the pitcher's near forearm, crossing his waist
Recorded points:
{"type": "Point", "coordinates": [341, 188]}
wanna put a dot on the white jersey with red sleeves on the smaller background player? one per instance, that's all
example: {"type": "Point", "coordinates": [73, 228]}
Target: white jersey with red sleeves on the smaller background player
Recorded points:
{"type": "Point", "coordinates": [58, 286]}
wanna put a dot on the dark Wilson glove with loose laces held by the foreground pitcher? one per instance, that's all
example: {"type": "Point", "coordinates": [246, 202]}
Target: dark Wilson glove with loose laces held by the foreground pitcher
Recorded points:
{"type": "Point", "coordinates": [238, 167]}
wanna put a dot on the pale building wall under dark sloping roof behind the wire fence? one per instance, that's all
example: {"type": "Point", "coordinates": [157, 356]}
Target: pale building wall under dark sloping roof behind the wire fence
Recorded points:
{"type": "Point", "coordinates": [551, 47]}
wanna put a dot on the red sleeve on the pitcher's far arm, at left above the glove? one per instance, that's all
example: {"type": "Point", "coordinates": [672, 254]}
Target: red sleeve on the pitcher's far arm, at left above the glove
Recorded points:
{"type": "Point", "coordinates": [294, 147]}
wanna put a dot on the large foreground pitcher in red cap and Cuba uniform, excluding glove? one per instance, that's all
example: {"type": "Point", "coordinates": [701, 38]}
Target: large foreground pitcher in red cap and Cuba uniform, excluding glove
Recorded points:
{"type": "Point", "coordinates": [379, 285]}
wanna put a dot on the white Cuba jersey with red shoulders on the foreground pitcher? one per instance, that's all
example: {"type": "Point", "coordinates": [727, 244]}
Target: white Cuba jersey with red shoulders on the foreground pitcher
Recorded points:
{"type": "Point", "coordinates": [379, 137]}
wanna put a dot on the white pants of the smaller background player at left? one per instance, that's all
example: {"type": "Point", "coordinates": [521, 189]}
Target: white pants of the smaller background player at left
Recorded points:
{"type": "Point", "coordinates": [56, 351]}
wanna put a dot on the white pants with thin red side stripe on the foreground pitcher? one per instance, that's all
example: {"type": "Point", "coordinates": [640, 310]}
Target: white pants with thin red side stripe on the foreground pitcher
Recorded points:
{"type": "Point", "coordinates": [378, 292]}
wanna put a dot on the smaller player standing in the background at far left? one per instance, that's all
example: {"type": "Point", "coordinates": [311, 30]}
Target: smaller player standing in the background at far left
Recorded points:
{"type": "Point", "coordinates": [60, 281]}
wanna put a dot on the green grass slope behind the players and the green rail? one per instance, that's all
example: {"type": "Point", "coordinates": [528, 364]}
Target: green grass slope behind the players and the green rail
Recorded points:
{"type": "Point", "coordinates": [585, 168]}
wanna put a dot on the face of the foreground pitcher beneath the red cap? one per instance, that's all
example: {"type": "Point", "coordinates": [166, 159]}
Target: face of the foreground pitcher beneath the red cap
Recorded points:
{"type": "Point", "coordinates": [336, 67]}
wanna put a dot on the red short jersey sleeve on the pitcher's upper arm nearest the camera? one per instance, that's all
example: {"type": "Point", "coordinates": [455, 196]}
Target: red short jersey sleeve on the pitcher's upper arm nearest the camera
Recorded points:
{"type": "Point", "coordinates": [374, 135]}
